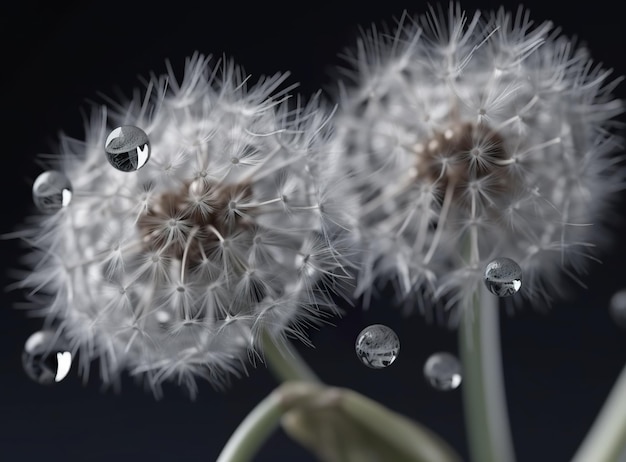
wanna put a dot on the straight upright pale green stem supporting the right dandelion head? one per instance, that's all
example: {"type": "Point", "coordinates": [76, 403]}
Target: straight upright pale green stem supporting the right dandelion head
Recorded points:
{"type": "Point", "coordinates": [484, 400]}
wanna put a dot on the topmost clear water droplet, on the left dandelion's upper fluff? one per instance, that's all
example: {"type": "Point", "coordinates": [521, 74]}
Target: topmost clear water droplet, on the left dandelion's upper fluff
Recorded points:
{"type": "Point", "coordinates": [127, 148]}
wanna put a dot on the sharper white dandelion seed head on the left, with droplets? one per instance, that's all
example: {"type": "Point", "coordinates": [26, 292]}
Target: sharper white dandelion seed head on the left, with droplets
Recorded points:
{"type": "Point", "coordinates": [179, 244]}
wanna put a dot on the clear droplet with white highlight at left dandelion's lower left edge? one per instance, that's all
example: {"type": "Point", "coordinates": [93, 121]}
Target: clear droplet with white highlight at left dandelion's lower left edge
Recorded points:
{"type": "Point", "coordinates": [44, 358]}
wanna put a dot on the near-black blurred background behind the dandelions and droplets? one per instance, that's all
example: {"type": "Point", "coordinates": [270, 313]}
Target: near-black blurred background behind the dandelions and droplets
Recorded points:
{"type": "Point", "coordinates": [558, 366]}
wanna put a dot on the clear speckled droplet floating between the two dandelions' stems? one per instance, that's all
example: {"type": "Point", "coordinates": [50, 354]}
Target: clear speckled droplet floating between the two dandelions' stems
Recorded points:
{"type": "Point", "coordinates": [377, 346]}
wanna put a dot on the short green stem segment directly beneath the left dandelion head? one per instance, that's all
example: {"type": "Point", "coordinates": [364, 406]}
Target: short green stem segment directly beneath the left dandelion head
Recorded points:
{"type": "Point", "coordinates": [285, 362]}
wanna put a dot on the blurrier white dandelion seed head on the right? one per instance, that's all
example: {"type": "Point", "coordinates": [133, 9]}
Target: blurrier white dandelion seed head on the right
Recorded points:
{"type": "Point", "coordinates": [470, 137]}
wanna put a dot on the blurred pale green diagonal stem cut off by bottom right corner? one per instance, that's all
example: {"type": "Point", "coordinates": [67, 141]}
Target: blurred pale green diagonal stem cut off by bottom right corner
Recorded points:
{"type": "Point", "coordinates": [606, 440]}
